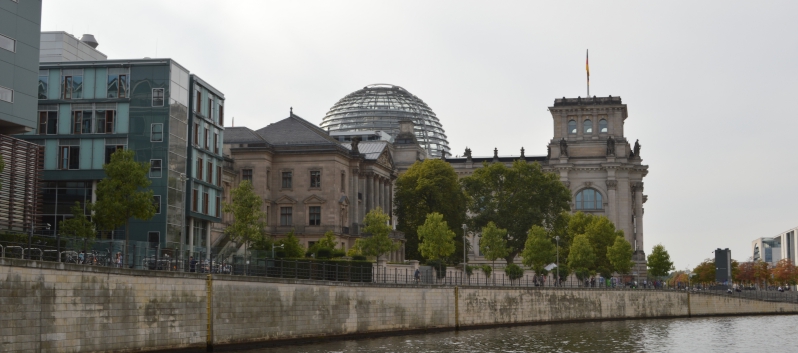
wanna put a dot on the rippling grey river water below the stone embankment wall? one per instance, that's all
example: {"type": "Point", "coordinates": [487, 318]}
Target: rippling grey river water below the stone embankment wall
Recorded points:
{"type": "Point", "coordinates": [718, 334]}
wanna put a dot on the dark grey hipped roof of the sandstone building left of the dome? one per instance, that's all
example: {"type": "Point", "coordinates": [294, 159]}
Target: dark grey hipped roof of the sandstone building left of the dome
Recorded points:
{"type": "Point", "coordinates": [294, 130]}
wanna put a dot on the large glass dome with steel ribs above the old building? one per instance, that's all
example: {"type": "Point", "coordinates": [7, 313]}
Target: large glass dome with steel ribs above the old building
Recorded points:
{"type": "Point", "coordinates": [379, 107]}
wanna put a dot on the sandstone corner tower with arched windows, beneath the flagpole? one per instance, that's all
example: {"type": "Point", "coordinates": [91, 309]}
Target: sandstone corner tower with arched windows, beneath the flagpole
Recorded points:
{"type": "Point", "coordinates": [595, 160]}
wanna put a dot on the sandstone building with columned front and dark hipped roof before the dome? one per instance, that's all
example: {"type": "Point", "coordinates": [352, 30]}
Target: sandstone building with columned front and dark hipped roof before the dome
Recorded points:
{"type": "Point", "coordinates": [311, 182]}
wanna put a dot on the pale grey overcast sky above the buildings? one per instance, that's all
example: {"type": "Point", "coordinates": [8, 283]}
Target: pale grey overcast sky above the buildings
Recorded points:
{"type": "Point", "coordinates": [710, 86]}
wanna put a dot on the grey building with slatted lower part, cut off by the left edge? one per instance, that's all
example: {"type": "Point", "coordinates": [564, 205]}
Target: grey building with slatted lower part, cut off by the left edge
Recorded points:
{"type": "Point", "coordinates": [20, 23]}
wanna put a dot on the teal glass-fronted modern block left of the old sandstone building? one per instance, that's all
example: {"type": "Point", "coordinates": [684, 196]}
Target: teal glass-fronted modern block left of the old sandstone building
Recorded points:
{"type": "Point", "coordinates": [155, 107]}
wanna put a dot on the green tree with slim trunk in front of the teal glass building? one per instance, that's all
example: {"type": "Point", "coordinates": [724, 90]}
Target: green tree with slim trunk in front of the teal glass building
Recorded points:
{"type": "Point", "coordinates": [123, 194]}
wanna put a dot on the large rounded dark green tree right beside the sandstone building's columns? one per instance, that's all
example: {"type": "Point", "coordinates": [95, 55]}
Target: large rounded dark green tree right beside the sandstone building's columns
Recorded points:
{"type": "Point", "coordinates": [427, 187]}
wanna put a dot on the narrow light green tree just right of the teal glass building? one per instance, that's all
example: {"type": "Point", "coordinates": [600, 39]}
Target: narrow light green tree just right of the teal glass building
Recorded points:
{"type": "Point", "coordinates": [248, 225]}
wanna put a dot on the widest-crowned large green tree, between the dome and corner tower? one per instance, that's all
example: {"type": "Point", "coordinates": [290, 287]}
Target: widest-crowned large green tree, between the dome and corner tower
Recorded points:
{"type": "Point", "coordinates": [515, 198]}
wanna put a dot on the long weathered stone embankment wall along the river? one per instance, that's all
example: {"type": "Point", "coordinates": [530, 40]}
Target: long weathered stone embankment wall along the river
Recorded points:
{"type": "Point", "coordinates": [53, 307]}
